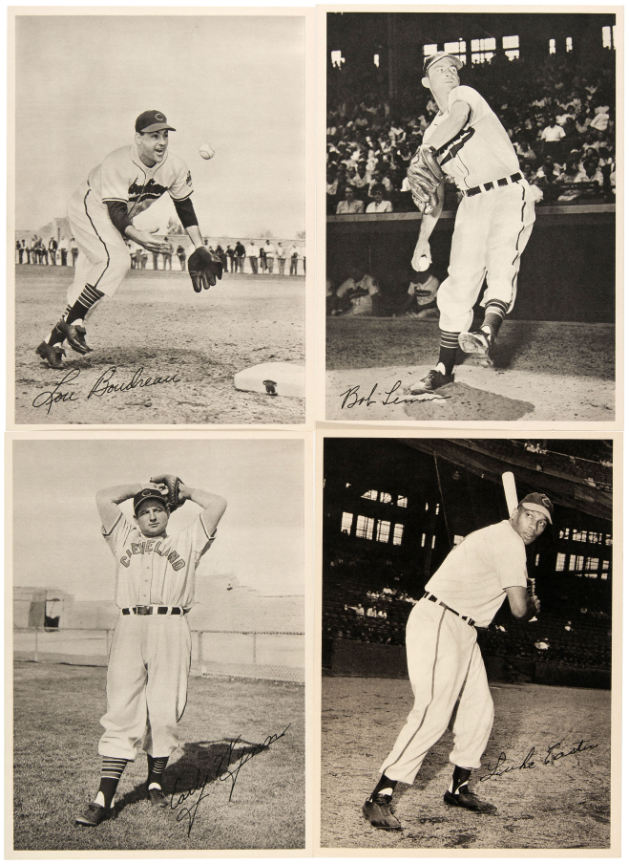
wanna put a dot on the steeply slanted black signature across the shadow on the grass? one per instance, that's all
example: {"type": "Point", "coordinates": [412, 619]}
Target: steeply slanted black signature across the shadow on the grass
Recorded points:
{"type": "Point", "coordinates": [225, 773]}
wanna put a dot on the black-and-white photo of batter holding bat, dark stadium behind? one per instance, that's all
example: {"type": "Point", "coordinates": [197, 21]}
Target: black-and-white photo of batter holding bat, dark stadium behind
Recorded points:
{"type": "Point", "coordinates": [469, 623]}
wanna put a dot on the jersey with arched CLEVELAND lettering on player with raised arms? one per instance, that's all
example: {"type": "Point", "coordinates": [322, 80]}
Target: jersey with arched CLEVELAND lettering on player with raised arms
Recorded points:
{"type": "Point", "coordinates": [156, 570]}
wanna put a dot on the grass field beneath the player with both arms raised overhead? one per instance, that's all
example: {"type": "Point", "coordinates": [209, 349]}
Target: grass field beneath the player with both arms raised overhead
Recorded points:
{"type": "Point", "coordinates": [230, 725]}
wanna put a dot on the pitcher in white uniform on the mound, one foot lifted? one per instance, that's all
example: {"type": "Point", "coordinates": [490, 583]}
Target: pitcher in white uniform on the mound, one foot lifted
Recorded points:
{"type": "Point", "coordinates": [493, 223]}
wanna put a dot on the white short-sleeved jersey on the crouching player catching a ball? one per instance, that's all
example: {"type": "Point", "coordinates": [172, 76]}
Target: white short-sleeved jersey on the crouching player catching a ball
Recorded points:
{"type": "Point", "coordinates": [122, 176]}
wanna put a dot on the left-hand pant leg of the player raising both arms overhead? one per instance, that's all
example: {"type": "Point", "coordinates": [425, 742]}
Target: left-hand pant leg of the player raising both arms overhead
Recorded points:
{"type": "Point", "coordinates": [126, 717]}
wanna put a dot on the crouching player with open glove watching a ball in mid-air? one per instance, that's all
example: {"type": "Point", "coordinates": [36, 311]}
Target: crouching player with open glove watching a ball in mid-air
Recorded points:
{"type": "Point", "coordinates": [101, 214]}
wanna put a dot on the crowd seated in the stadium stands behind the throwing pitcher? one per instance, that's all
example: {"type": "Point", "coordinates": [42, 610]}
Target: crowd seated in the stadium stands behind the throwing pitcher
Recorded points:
{"type": "Point", "coordinates": [559, 115]}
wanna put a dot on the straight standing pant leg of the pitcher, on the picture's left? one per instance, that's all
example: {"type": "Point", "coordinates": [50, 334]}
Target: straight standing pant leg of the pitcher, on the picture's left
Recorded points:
{"type": "Point", "coordinates": [459, 291]}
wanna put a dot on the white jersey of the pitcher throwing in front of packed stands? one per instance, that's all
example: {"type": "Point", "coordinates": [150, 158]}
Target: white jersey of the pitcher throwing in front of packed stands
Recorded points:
{"type": "Point", "coordinates": [482, 150]}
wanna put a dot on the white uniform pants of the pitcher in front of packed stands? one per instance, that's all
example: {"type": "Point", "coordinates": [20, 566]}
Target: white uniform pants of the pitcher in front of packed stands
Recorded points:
{"type": "Point", "coordinates": [491, 230]}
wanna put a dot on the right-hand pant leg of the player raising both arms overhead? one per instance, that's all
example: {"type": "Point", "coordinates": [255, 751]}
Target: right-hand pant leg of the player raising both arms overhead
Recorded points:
{"type": "Point", "coordinates": [169, 647]}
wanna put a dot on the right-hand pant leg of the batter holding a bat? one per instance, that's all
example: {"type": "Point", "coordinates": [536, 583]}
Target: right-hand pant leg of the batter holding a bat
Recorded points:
{"type": "Point", "coordinates": [474, 717]}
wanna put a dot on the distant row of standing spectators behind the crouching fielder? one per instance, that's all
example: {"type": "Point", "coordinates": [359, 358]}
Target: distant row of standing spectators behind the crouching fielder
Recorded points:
{"type": "Point", "coordinates": [270, 257]}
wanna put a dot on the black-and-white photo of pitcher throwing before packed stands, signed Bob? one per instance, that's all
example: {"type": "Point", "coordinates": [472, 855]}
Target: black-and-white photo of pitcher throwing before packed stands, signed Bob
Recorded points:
{"type": "Point", "coordinates": [470, 203]}
